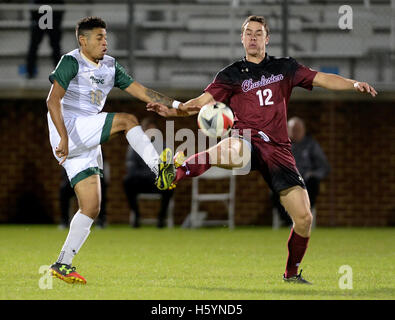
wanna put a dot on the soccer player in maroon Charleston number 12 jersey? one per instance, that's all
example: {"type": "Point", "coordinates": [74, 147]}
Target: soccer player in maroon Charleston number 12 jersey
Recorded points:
{"type": "Point", "coordinates": [258, 88]}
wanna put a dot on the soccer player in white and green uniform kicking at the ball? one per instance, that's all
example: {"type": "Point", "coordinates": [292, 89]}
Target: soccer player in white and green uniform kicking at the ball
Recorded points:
{"type": "Point", "coordinates": [77, 128]}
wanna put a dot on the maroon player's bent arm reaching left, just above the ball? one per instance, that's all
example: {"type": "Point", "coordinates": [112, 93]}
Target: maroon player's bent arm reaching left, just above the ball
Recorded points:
{"type": "Point", "coordinates": [189, 108]}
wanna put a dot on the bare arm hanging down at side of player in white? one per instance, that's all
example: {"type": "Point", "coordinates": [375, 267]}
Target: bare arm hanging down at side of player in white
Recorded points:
{"type": "Point", "coordinates": [55, 110]}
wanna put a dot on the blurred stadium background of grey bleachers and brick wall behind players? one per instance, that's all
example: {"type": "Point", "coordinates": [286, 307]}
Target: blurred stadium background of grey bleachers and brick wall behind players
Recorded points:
{"type": "Point", "coordinates": [177, 47]}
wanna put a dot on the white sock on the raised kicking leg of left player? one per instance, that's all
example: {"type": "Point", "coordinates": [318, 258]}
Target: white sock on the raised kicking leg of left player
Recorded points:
{"type": "Point", "coordinates": [140, 142]}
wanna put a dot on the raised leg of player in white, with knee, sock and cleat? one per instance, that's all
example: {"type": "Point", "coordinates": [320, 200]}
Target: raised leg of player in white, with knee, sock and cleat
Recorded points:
{"type": "Point", "coordinates": [161, 165]}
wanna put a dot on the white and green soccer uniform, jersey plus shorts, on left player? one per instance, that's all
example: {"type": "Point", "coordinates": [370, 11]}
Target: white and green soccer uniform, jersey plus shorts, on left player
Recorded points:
{"type": "Point", "coordinates": [87, 86]}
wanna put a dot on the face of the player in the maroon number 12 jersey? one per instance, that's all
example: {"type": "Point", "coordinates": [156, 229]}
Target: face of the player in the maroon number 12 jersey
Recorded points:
{"type": "Point", "coordinates": [254, 39]}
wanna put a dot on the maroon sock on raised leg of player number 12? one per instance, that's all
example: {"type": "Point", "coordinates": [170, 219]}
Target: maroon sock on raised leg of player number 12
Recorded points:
{"type": "Point", "coordinates": [194, 166]}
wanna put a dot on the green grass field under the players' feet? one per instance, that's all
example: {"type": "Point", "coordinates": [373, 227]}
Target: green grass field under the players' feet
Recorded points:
{"type": "Point", "coordinates": [214, 263]}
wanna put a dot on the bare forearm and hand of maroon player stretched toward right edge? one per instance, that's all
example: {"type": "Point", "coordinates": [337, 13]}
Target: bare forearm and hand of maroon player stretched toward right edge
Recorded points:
{"type": "Point", "coordinates": [335, 82]}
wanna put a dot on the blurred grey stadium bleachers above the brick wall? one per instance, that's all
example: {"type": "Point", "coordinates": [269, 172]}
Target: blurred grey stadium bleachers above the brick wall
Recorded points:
{"type": "Point", "coordinates": [182, 44]}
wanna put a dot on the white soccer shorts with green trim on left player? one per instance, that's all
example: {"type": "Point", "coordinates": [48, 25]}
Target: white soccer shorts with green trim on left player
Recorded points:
{"type": "Point", "coordinates": [86, 134]}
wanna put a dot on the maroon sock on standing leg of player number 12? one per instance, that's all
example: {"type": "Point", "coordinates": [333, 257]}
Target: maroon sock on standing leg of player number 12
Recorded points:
{"type": "Point", "coordinates": [297, 246]}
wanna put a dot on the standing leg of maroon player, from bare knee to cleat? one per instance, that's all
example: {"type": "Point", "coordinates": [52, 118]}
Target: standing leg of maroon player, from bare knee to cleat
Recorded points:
{"type": "Point", "coordinates": [296, 202]}
